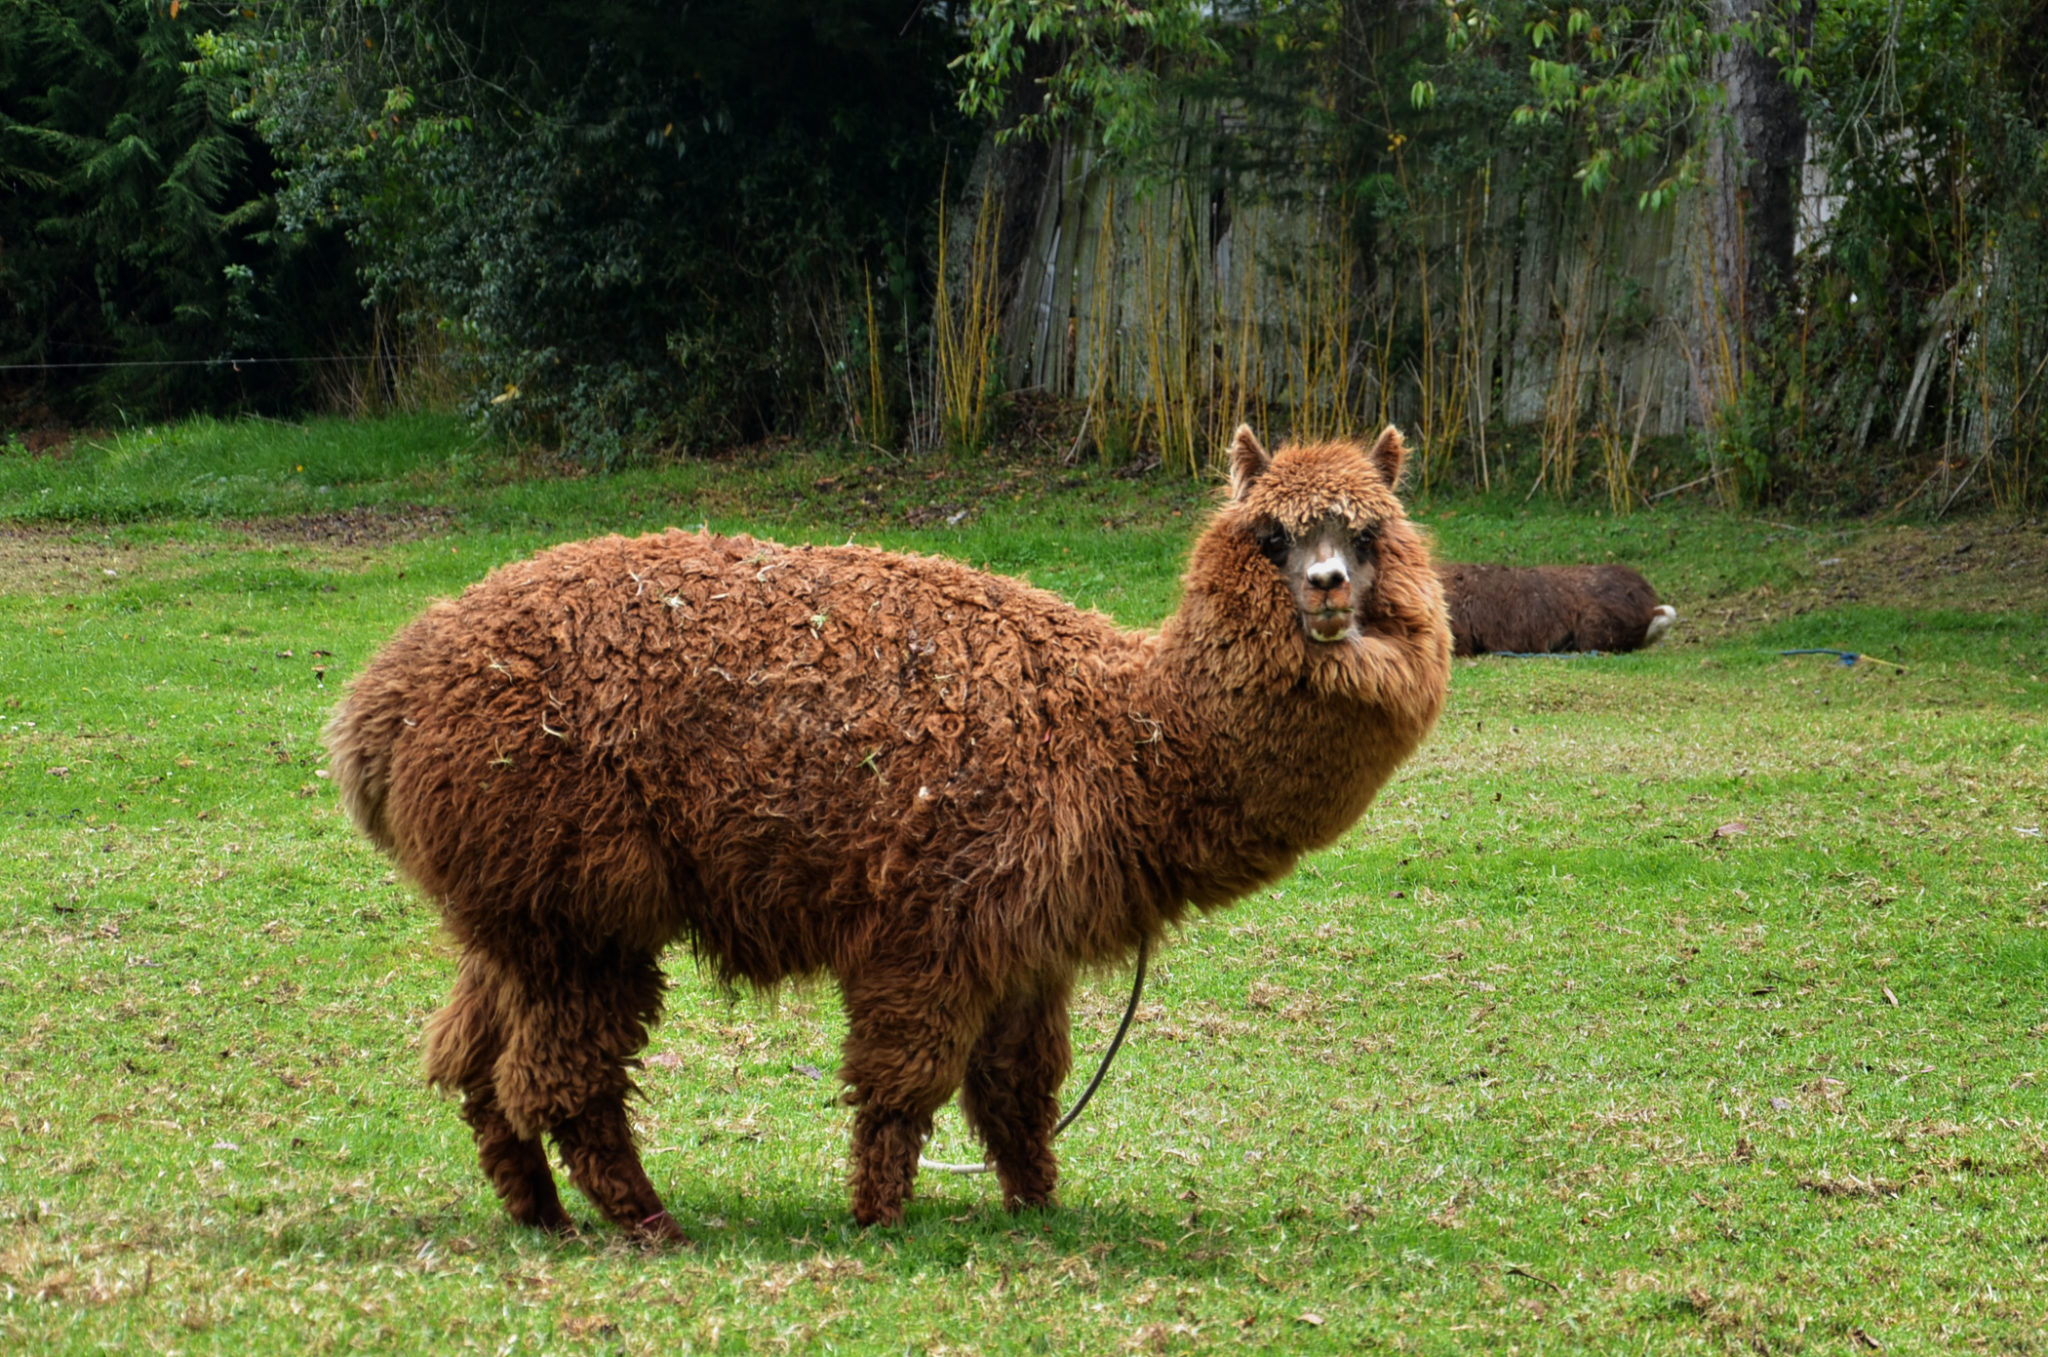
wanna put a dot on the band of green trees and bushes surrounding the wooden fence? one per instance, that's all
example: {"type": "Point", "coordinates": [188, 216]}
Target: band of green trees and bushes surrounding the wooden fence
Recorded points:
{"type": "Point", "coordinates": [628, 228]}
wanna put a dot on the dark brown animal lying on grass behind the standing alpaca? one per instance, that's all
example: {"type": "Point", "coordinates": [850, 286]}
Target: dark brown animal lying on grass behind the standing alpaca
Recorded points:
{"type": "Point", "coordinates": [1547, 609]}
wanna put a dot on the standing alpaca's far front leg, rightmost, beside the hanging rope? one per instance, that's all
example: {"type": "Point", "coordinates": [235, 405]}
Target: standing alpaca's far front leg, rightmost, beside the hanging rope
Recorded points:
{"type": "Point", "coordinates": [1011, 1094]}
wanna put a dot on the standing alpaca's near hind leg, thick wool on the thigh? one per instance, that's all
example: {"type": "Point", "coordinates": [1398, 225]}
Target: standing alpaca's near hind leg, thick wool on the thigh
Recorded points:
{"type": "Point", "coordinates": [564, 1071]}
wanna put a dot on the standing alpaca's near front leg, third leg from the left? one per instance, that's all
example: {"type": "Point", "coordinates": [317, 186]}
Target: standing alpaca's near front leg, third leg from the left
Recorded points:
{"type": "Point", "coordinates": [904, 1059]}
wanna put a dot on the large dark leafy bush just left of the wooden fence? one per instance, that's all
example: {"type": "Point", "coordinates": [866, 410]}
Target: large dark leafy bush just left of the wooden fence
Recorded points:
{"type": "Point", "coordinates": [630, 220]}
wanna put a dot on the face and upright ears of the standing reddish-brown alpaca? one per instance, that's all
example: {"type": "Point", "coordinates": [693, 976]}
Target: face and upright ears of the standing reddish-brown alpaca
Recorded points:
{"type": "Point", "coordinates": [1322, 517]}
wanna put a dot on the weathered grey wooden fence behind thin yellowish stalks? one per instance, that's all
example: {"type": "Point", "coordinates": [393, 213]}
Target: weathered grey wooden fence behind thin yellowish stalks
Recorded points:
{"type": "Point", "coordinates": [1183, 304]}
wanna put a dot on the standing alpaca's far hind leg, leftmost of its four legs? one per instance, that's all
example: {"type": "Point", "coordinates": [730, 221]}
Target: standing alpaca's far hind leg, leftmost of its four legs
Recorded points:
{"type": "Point", "coordinates": [462, 1047]}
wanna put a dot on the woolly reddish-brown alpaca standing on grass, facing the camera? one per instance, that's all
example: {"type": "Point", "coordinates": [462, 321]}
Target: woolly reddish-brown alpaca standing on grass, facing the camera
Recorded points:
{"type": "Point", "coordinates": [947, 789]}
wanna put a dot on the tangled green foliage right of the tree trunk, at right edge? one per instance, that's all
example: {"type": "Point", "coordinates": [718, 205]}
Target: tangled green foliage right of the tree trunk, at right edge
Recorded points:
{"type": "Point", "coordinates": [1924, 326]}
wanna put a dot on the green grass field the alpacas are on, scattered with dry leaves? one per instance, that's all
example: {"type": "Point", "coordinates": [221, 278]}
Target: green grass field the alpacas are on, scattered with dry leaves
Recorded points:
{"type": "Point", "coordinates": [1676, 1002]}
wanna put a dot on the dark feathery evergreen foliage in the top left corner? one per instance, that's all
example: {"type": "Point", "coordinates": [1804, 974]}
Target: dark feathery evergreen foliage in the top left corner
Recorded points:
{"type": "Point", "coordinates": [134, 220]}
